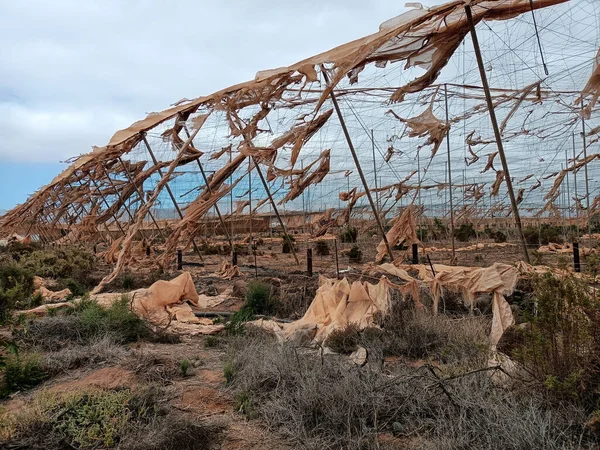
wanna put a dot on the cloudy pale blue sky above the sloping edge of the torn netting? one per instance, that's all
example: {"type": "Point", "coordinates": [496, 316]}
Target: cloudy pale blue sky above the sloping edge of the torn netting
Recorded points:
{"type": "Point", "coordinates": [73, 72]}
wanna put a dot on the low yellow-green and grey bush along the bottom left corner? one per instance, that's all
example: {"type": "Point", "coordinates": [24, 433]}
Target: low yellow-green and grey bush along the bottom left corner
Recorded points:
{"type": "Point", "coordinates": [97, 418]}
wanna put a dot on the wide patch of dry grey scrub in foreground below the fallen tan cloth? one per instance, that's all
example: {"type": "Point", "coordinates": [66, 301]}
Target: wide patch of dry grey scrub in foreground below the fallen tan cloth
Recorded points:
{"type": "Point", "coordinates": [325, 402]}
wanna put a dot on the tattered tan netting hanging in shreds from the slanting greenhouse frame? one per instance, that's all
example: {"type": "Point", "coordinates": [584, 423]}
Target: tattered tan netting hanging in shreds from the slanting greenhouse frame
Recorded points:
{"type": "Point", "coordinates": [101, 198]}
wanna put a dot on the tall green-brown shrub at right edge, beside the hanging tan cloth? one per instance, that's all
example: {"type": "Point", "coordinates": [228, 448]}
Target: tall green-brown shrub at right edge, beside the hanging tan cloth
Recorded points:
{"type": "Point", "coordinates": [561, 344]}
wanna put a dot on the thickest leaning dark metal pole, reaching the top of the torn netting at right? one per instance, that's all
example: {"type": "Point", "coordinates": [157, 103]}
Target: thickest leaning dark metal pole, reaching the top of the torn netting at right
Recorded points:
{"type": "Point", "coordinates": [490, 104]}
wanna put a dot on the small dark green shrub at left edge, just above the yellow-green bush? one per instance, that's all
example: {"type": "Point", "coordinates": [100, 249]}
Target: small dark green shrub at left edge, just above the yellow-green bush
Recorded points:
{"type": "Point", "coordinates": [21, 372]}
